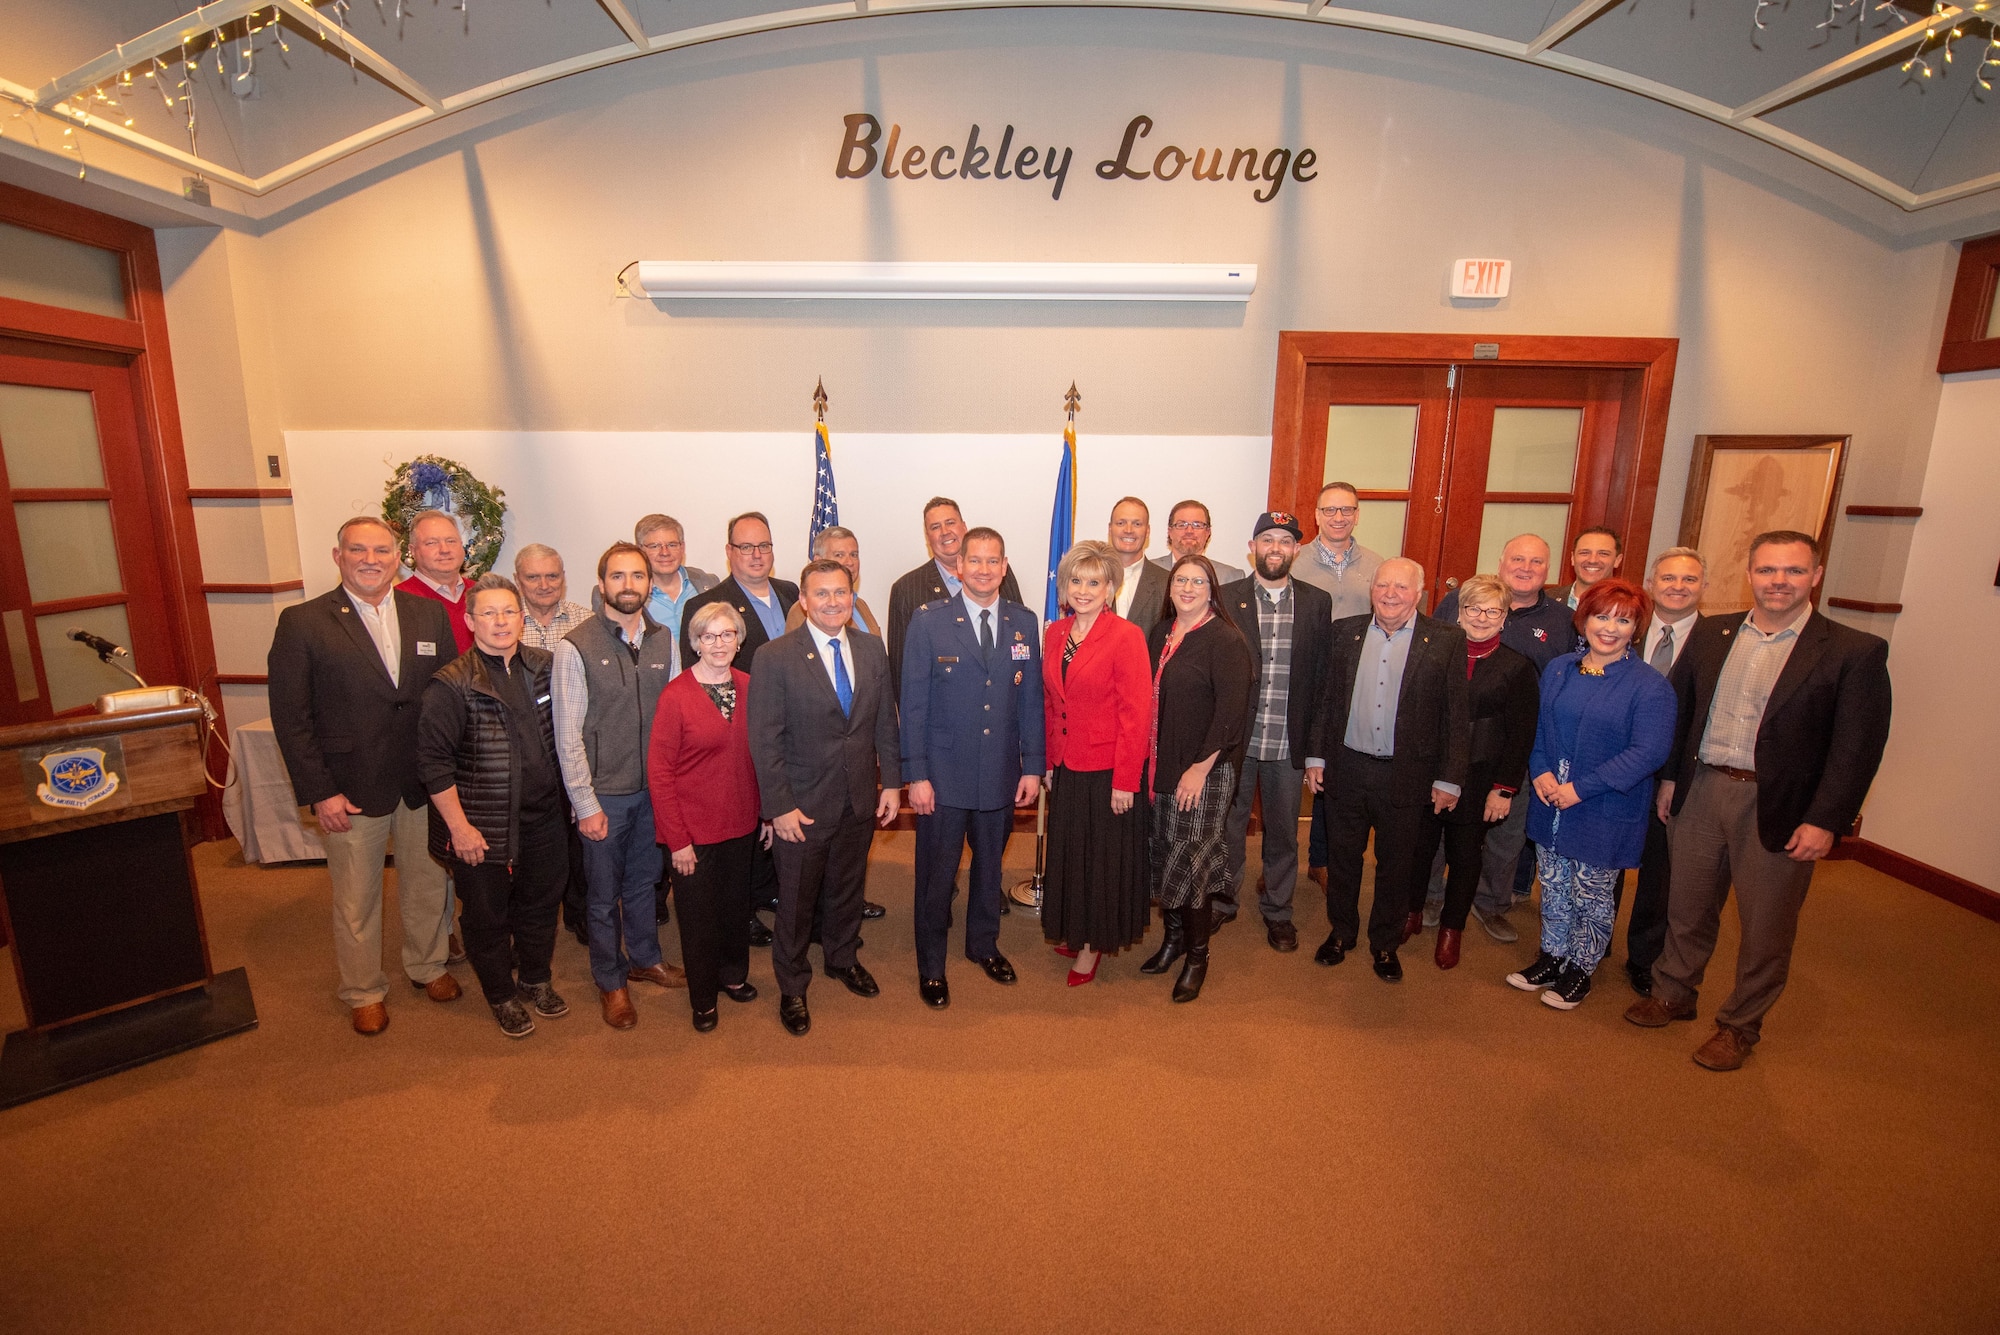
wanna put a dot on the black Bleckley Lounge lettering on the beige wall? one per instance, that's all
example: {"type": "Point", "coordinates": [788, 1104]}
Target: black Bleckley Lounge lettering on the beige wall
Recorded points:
{"type": "Point", "coordinates": [865, 153]}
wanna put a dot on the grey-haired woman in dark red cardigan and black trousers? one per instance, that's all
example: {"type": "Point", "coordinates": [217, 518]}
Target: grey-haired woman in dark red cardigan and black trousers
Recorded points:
{"type": "Point", "coordinates": [705, 808]}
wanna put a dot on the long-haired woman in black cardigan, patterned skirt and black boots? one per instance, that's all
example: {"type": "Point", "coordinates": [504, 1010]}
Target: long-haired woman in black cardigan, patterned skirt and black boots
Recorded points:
{"type": "Point", "coordinates": [1201, 686]}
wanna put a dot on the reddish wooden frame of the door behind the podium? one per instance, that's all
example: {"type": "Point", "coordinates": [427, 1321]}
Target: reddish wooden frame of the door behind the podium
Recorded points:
{"type": "Point", "coordinates": [141, 345]}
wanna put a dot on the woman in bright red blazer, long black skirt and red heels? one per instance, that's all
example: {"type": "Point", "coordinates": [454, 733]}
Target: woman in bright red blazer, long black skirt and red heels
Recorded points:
{"type": "Point", "coordinates": [1097, 688]}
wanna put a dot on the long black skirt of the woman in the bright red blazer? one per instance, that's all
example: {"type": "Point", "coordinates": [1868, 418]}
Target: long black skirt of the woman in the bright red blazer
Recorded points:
{"type": "Point", "coordinates": [1095, 882]}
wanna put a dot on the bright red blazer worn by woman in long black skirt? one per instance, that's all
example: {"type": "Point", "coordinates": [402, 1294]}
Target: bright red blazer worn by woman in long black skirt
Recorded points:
{"type": "Point", "coordinates": [1103, 716]}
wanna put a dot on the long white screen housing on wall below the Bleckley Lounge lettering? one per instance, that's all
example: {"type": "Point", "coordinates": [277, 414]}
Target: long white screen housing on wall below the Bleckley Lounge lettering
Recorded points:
{"type": "Point", "coordinates": [925, 281]}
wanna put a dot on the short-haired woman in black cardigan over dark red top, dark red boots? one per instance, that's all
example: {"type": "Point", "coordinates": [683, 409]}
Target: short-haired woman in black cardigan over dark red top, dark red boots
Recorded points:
{"type": "Point", "coordinates": [1505, 704]}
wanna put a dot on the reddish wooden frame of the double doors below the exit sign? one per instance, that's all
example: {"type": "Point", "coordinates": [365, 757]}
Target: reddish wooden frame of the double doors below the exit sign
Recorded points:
{"type": "Point", "coordinates": [1635, 465]}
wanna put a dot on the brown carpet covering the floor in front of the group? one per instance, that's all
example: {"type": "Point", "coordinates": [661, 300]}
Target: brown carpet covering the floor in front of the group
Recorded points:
{"type": "Point", "coordinates": [1301, 1150]}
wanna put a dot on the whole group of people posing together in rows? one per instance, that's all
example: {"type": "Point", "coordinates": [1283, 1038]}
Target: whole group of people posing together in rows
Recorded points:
{"type": "Point", "coordinates": [737, 740]}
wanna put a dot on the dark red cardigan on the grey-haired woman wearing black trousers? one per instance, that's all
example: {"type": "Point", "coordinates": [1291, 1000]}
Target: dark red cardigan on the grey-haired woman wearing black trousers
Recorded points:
{"type": "Point", "coordinates": [699, 766]}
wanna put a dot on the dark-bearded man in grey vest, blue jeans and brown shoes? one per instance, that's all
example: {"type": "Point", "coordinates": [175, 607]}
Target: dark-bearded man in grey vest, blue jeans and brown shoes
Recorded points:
{"type": "Point", "coordinates": [607, 678]}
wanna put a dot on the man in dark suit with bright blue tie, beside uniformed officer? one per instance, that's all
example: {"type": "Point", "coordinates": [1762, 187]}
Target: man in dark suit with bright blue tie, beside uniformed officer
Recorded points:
{"type": "Point", "coordinates": [823, 734]}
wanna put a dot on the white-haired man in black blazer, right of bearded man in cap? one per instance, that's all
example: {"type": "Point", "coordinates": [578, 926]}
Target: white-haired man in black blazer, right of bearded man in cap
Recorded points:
{"type": "Point", "coordinates": [1395, 734]}
